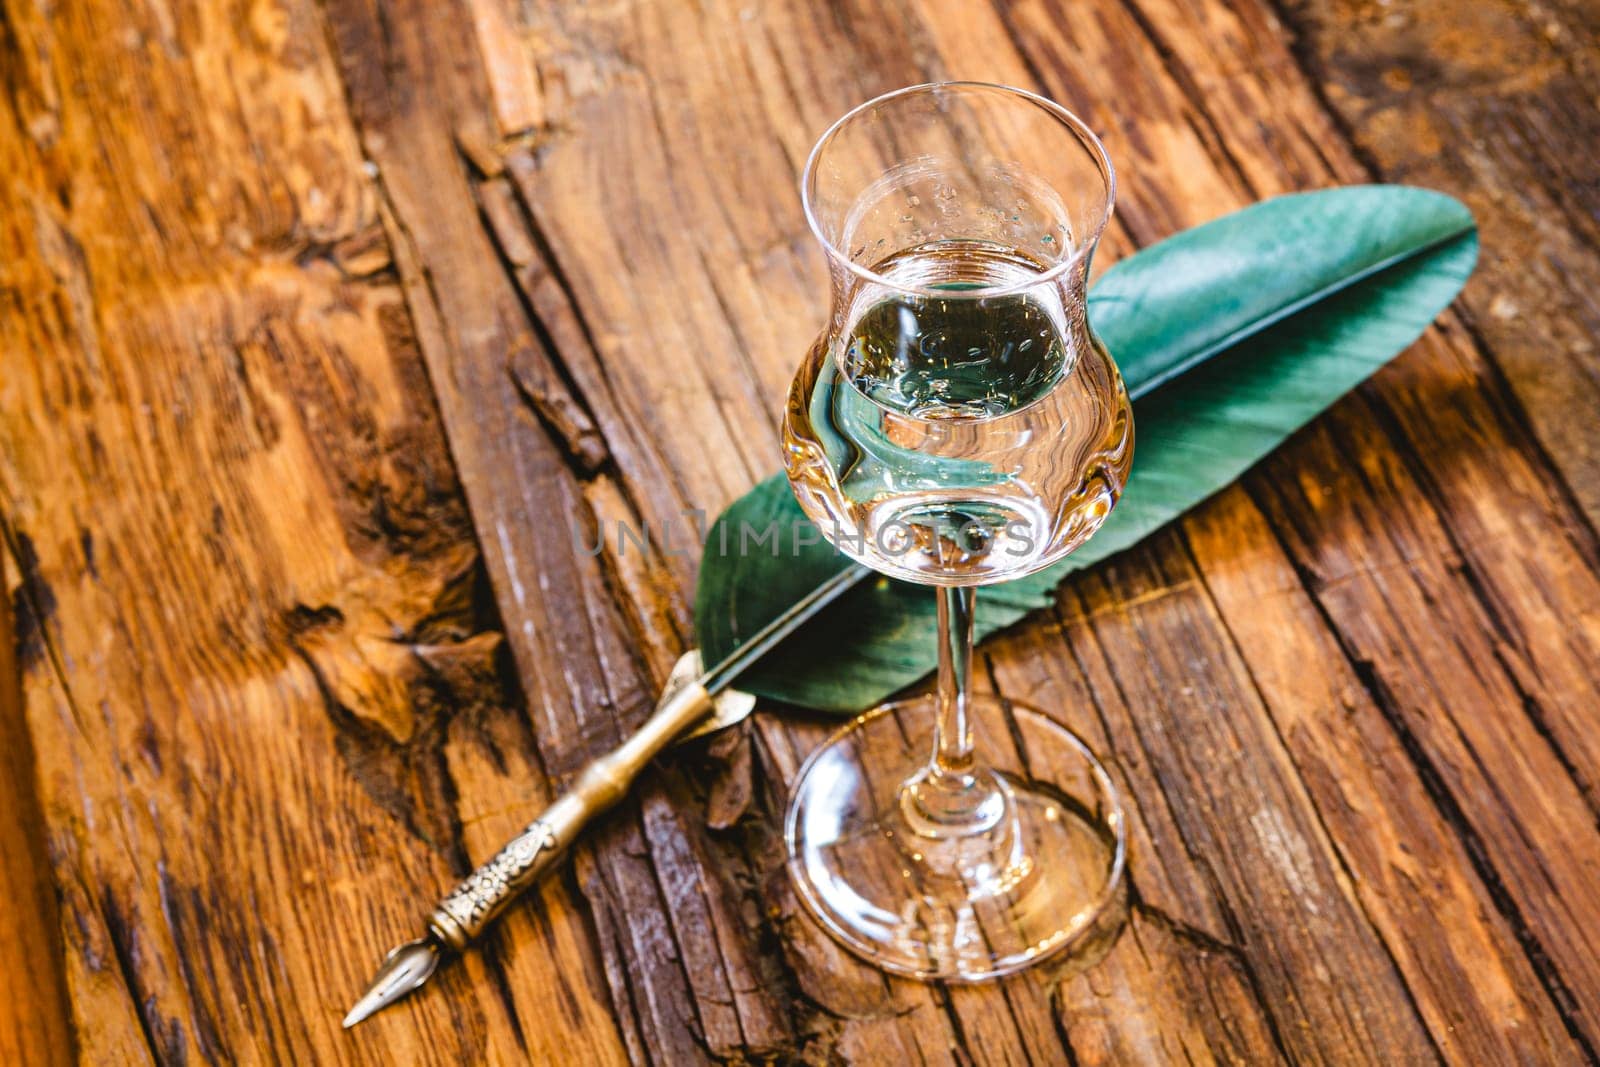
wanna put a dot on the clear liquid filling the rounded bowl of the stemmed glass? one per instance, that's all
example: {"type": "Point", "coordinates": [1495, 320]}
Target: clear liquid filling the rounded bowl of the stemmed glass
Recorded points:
{"type": "Point", "coordinates": [959, 439]}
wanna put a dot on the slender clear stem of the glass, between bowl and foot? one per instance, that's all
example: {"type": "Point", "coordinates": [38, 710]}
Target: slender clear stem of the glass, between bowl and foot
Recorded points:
{"type": "Point", "coordinates": [954, 796]}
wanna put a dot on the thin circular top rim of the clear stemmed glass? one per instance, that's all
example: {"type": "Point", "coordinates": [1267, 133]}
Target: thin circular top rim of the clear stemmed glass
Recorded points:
{"type": "Point", "coordinates": [1050, 274]}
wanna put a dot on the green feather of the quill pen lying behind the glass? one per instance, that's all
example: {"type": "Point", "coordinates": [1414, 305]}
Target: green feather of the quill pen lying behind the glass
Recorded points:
{"type": "Point", "coordinates": [1231, 337]}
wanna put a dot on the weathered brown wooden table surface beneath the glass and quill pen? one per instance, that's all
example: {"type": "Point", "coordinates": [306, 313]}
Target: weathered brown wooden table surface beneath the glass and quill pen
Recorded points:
{"type": "Point", "coordinates": [322, 319]}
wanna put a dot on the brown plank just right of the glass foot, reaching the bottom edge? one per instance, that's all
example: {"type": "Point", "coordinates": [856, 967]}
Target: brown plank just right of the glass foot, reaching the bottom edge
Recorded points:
{"type": "Point", "coordinates": [1242, 820]}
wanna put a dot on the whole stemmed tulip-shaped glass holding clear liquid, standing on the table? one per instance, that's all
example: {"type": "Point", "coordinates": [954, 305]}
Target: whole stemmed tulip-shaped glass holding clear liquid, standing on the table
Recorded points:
{"type": "Point", "coordinates": [958, 425]}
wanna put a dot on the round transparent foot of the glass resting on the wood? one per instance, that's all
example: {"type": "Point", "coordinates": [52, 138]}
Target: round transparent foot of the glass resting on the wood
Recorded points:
{"type": "Point", "coordinates": [966, 908]}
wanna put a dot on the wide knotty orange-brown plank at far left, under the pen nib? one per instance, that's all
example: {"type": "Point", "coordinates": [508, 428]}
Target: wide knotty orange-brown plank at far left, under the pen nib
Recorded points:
{"type": "Point", "coordinates": [265, 674]}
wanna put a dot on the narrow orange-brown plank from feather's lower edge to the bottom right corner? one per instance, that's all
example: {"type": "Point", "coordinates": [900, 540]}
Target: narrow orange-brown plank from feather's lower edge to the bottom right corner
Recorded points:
{"type": "Point", "coordinates": [1409, 865]}
